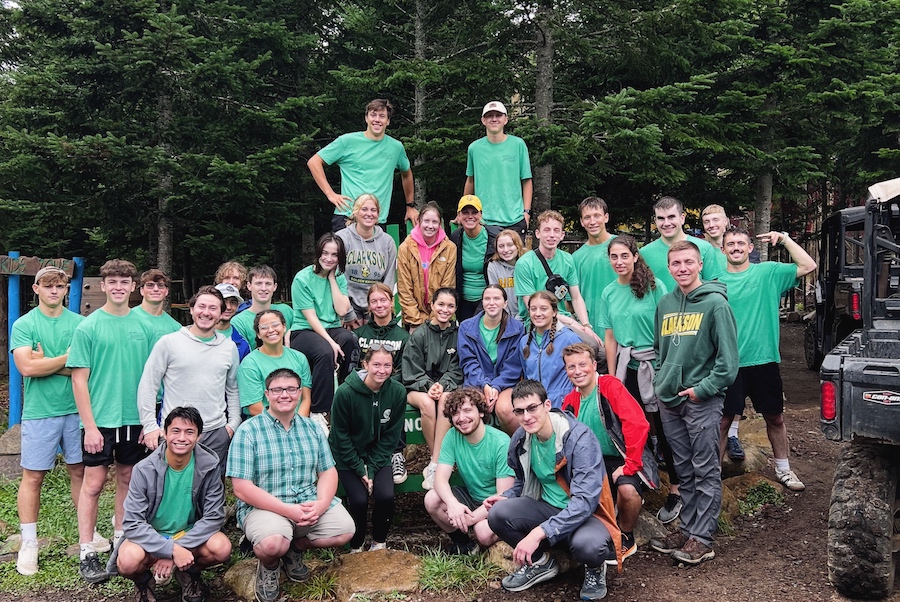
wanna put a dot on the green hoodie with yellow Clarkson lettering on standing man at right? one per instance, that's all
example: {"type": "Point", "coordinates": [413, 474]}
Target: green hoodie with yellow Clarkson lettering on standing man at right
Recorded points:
{"type": "Point", "coordinates": [695, 343]}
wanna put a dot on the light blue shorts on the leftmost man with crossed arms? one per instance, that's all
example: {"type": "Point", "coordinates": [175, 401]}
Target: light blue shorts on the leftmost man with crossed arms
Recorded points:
{"type": "Point", "coordinates": [42, 438]}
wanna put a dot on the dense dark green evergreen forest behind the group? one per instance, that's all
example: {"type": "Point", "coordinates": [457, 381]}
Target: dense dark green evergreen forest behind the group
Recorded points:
{"type": "Point", "coordinates": [176, 134]}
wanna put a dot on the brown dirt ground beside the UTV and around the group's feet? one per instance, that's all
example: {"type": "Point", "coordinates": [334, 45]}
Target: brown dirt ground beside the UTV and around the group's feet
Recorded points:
{"type": "Point", "coordinates": [778, 555]}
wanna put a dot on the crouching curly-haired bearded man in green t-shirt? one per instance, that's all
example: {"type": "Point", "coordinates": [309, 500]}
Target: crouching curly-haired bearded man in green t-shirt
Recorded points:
{"type": "Point", "coordinates": [478, 452]}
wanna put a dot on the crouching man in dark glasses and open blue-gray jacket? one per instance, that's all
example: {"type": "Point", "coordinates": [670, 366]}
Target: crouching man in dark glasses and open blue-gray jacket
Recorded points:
{"type": "Point", "coordinates": [558, 497]}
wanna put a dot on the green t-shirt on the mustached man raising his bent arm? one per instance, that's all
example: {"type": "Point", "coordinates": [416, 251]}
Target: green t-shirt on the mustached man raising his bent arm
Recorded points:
{"type": "Point", "coordinates": [754, 296]}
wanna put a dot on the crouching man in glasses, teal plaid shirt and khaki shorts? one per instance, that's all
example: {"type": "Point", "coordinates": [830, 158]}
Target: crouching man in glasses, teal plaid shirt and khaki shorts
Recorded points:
{"type": "Point", "coordinates": [285, 480]}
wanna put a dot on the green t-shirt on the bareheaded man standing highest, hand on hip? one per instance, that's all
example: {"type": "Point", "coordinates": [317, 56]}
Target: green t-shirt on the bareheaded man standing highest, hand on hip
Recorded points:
{"type": "Point", "coordinates": [366, 166]}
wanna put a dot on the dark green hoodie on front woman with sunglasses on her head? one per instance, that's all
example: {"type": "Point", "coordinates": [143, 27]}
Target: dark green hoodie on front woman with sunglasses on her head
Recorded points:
{"type": "Point", "coordinates": [366, 425]}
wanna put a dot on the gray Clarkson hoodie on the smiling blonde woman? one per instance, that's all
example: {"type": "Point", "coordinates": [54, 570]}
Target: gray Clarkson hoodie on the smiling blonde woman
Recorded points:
{"type": "Point", "coordinates": [368, 261]}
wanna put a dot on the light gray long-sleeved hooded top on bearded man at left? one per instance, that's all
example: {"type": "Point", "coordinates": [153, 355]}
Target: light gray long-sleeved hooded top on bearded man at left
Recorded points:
{"type": "Point", "coordinates": [193, 373]}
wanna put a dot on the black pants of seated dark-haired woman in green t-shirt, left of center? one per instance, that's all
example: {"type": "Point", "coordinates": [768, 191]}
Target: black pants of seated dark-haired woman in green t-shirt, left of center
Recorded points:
{"type": "Point", "coordinates": [321, 362]}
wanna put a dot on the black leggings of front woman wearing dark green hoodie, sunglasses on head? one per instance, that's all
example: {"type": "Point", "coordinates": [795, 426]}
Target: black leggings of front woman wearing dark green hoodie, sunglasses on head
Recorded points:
{"type": "Point", "coordinates": [358, 504]}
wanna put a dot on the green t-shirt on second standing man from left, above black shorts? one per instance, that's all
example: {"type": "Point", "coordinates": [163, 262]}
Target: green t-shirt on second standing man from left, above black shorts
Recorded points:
{"type": "Point", "coordinates": [115, 348]}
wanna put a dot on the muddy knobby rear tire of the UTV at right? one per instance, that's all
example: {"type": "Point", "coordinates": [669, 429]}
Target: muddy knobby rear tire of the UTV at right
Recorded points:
{"type": "Point", "coordinates": [861, 521]}
